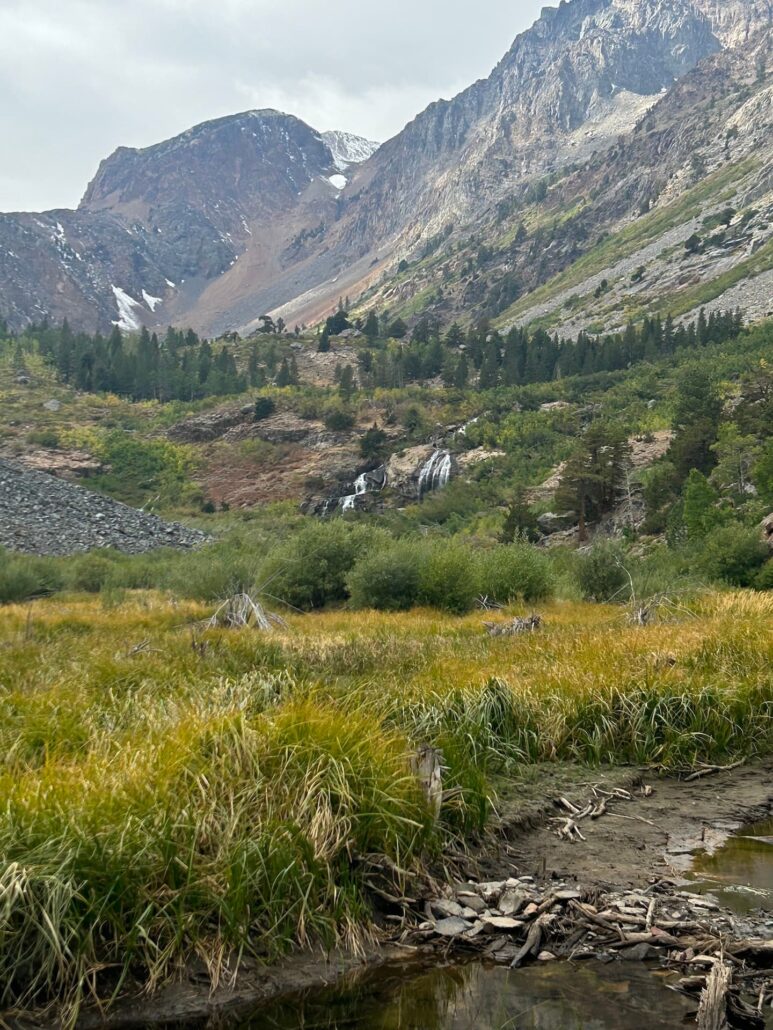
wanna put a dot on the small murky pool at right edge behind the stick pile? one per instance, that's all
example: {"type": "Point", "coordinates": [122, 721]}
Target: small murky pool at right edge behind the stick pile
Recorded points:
{"type": "Point", "coordinates": [741, 874]}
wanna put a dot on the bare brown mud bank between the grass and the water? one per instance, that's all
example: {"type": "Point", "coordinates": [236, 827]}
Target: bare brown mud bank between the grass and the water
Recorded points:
{"type": "Point", "coordinates": [648, 839]}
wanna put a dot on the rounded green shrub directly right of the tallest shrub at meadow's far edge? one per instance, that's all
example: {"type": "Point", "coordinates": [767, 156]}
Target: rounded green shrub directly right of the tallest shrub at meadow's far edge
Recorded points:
{"type": "Point", "coordinates": [387, 580]}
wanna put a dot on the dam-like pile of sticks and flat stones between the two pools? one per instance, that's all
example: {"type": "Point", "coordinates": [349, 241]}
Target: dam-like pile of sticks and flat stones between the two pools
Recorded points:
{"type": "Point", "coordinates": [517, 921]}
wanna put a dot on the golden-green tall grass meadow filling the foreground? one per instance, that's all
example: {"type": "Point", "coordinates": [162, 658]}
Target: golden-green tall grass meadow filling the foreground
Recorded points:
{"type": "Point", "coordinates": [164, 801]}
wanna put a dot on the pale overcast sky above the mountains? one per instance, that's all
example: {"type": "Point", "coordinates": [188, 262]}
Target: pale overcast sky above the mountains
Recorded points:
{"type": "Point", "coordinates": [81, 78]}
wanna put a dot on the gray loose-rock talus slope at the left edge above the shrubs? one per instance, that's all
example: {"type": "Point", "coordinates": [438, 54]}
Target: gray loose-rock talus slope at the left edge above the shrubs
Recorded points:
{"type": "Point", "coordinates": [43, 516]}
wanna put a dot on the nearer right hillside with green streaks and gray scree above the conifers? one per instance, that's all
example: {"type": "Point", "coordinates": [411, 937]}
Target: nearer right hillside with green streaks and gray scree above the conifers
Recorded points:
{"type": "Point", "coordinates": [675, 216]}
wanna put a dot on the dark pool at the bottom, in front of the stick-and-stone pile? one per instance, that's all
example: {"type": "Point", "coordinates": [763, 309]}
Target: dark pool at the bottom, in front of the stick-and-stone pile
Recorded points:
{"type": "Point", "coordinates": [556, 997]}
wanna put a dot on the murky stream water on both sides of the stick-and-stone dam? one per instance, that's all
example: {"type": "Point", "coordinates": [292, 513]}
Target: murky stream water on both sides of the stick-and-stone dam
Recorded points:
{"type": "Point", "coordinates": [587, 995]}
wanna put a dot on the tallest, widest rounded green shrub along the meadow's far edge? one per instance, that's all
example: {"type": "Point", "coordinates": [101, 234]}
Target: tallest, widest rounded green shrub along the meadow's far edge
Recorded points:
{"type": "Point", "coordinates": [311, 569]}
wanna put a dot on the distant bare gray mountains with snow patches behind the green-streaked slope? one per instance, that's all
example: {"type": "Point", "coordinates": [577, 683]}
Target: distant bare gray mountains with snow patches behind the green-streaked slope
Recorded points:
{"type": "Point", "coordinates": [259, 213]}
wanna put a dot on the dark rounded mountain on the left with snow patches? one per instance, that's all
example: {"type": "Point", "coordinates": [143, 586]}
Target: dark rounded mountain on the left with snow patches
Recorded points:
{"type": "Point", "coordinates": [160, 231]}
